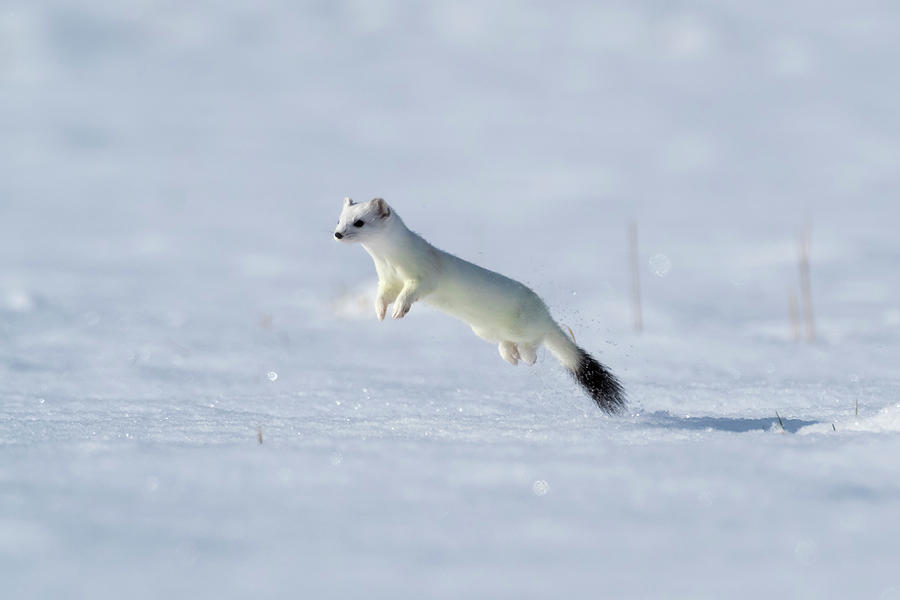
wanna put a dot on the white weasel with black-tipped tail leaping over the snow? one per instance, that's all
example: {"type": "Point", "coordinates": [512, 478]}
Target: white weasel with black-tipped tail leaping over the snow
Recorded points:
{"type": "Point", "coordinates": [499, 309]}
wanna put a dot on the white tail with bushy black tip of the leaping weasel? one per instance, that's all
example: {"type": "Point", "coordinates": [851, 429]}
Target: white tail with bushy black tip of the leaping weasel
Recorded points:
{"type": "Point", "coordinates": [598, 381]}
